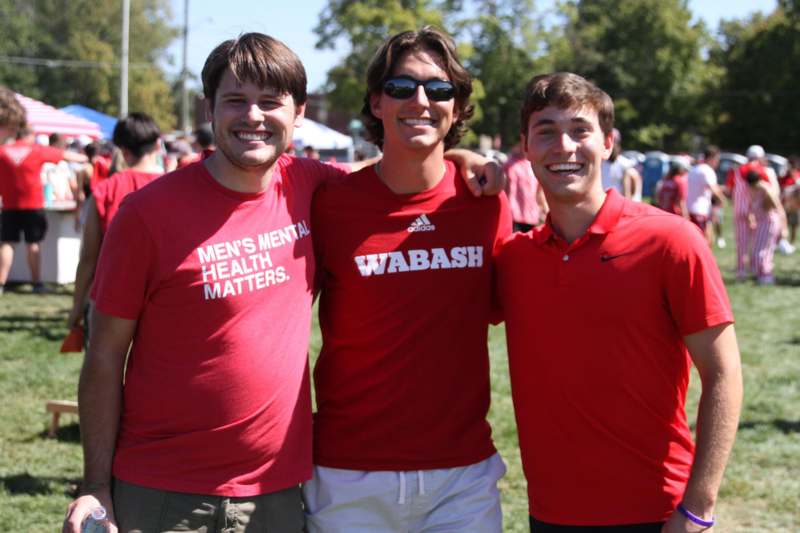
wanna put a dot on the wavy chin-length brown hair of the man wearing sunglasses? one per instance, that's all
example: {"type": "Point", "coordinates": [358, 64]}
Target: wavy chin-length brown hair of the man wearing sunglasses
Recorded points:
{"type": "Point", "coordinates": [382, 65]}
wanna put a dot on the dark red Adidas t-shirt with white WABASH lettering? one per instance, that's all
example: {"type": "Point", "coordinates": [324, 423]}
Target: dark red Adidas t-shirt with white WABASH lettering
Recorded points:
{"type": "Point", "coordinates": [402, 380]}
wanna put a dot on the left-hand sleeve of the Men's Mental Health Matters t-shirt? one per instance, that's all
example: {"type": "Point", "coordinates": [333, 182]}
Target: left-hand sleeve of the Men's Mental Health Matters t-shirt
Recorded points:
{"type": "Point", "coordinates": [126, 268]}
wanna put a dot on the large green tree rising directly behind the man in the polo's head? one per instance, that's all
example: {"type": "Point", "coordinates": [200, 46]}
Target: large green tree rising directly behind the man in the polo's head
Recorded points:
{"type": "Point", "coordinates": [647, 56]}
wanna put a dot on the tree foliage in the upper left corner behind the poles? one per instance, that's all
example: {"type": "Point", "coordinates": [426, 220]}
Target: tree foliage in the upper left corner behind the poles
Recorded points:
{"type": "Point", "coordinates": [88, 30]}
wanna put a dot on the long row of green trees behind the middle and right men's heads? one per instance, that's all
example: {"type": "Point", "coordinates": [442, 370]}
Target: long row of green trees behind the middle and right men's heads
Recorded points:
{"type": "Point", "coordinates": [675, 85]}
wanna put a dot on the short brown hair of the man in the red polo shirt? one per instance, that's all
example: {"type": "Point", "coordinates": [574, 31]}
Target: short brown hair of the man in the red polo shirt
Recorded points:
{"type": "Point", "coordinates": [566, 90]}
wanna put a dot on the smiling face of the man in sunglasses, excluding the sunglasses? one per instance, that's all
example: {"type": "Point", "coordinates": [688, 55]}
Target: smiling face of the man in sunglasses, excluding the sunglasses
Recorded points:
{"type": "Point", "coordinates": [415, 123]}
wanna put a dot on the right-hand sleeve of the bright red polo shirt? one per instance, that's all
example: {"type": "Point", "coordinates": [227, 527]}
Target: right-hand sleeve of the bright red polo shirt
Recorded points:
{"type": "Point", "coordinates": [694, 290]}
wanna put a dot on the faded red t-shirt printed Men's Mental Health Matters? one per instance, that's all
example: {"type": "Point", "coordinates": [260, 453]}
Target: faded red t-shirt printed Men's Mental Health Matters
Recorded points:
{"type": "Point", "coordinates": [216, 394]}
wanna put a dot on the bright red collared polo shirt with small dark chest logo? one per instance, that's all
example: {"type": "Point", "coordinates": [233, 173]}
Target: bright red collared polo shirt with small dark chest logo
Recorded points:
{"type": "Point", "coordinates": [599, 369]}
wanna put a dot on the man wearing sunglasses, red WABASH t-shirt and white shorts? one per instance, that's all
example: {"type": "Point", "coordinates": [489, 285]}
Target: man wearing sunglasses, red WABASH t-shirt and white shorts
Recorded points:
{"type": "Point", "coordinates": [404, 255]}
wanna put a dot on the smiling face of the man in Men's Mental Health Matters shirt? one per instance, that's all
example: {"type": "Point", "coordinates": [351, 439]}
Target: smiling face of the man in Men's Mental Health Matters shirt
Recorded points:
{"type": "Point", "coordinates": [252, 125]}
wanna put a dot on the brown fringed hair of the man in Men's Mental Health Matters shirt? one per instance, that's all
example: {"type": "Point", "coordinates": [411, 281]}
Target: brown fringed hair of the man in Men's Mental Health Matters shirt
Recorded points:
{"type": "Point", "coordinates": [259, 58]}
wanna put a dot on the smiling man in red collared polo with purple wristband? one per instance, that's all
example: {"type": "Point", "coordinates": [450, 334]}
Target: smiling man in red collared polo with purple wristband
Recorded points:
{"type": "Point", "coordinates": [599, 373]}
